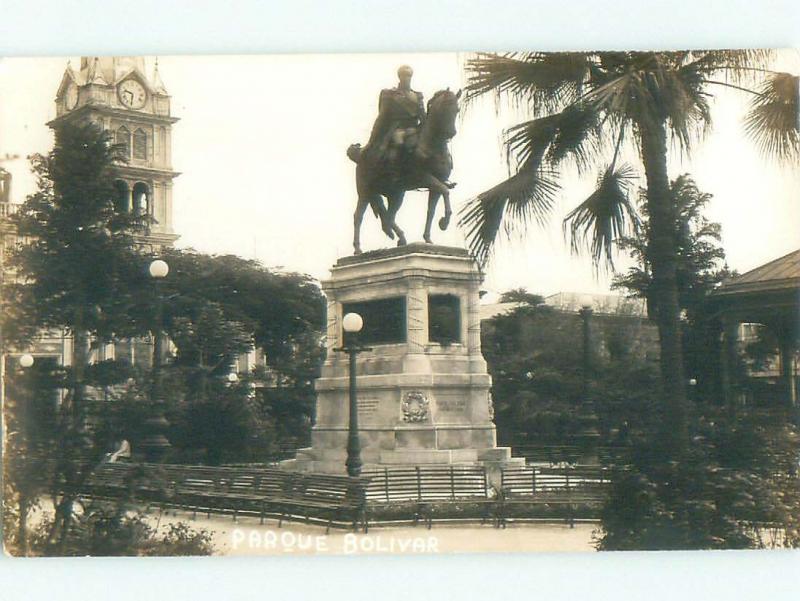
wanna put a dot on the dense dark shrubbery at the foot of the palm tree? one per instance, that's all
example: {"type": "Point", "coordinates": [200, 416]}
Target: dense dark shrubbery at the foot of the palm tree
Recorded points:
{"type": "Point", "coordinates": [735, 489]}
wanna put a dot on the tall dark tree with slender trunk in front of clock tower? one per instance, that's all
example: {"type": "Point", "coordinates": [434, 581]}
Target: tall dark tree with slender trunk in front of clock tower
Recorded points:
{"type": "Point", "coordinates": [76, 274]}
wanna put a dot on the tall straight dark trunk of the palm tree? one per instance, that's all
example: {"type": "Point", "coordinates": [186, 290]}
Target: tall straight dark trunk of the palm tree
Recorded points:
{"type": "Point", "coordinates": [662, 255]}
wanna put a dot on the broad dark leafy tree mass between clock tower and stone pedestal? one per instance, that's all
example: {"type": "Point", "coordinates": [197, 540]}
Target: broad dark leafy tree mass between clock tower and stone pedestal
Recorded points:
{"type": "Point", "coordinates": [216, 308]}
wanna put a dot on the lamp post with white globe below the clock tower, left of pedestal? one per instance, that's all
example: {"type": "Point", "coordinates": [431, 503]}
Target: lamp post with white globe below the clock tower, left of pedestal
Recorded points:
{"type": "Point", "coordinates": [155, 443]}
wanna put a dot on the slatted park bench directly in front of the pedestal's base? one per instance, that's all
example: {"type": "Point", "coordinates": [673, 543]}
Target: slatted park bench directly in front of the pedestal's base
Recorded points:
{"type": "Point", "coordinates": [430, 488]}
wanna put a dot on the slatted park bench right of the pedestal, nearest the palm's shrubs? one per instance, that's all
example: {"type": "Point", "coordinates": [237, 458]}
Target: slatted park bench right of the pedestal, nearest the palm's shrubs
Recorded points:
{"type": "Point", "coordinates": [565, 487]}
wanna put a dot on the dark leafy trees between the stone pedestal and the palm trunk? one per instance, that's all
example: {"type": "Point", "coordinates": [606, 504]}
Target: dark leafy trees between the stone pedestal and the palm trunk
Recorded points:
{"type": "Point", "coordinates": [537, 377]}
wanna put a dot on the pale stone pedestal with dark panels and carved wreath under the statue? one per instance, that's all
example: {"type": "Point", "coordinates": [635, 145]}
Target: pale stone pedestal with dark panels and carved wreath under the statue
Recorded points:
{"type": "Point", "coordinates": [421, 402]}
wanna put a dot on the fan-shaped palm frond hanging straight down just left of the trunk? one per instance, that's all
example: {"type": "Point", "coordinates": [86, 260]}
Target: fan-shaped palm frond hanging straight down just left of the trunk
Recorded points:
{"type": "Point", "coordinates": [604, 216]}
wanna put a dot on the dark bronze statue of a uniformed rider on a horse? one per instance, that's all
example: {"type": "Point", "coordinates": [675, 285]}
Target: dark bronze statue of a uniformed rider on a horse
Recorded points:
{"type": "Point", "coordinates": [407, 150]}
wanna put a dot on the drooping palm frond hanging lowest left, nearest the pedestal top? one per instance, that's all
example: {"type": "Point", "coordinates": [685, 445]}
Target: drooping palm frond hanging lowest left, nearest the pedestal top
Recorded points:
{"type": "Point", "coordinates": [528, 195]}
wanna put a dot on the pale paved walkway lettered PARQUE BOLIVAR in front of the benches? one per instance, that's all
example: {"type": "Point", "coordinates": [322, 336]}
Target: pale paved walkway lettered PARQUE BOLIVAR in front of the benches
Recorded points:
{"type": "Point", "coordinates": [247, 537]}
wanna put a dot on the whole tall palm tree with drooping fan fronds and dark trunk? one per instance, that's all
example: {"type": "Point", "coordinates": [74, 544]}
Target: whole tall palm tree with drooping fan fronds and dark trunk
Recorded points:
{"type": "Point", "coordinates": [588, 105]}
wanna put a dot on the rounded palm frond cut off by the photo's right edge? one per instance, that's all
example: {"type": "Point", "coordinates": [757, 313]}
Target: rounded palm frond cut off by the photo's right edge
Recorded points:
{"type": "Point", "coordinates": [773, 121]}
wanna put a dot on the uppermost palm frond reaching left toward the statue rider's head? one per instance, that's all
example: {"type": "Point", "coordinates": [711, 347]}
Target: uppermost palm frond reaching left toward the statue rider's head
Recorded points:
{"type": "Point", "coordinates": [548, 81]}
